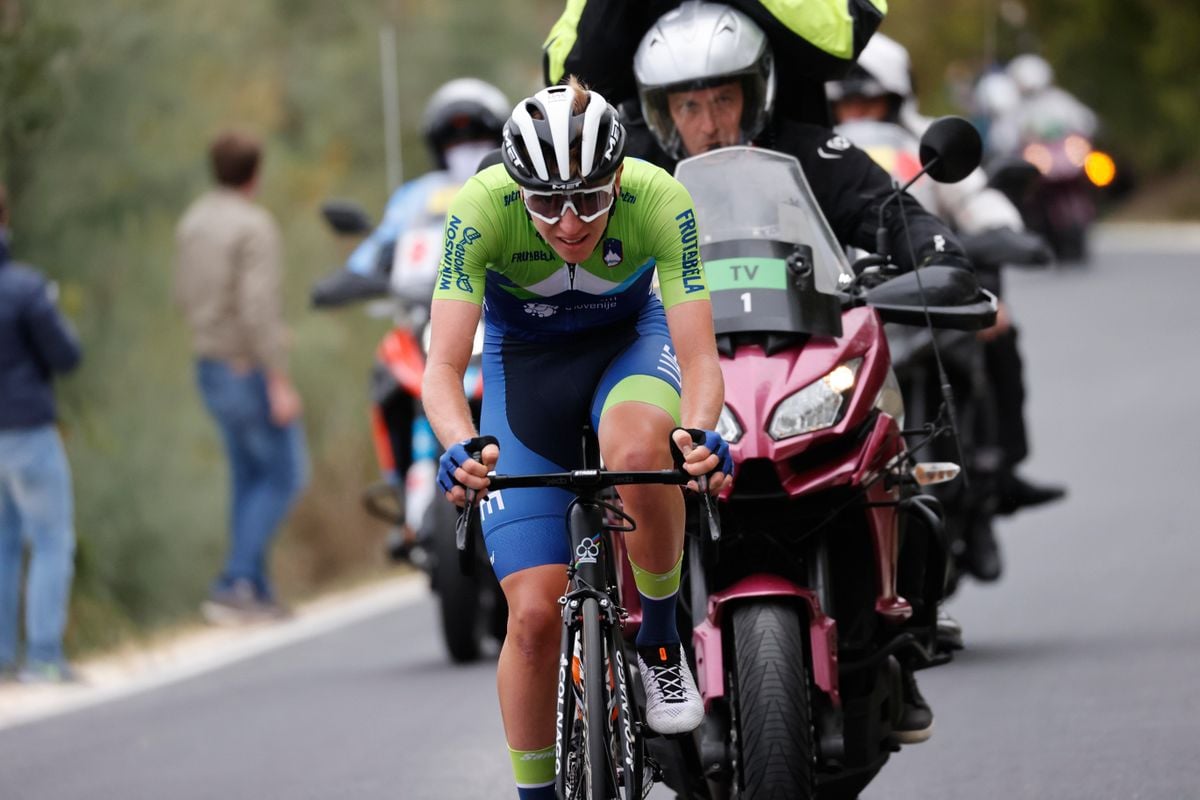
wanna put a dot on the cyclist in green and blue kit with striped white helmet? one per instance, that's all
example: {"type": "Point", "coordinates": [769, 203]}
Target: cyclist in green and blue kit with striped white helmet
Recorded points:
{"type": "Point", "coordinates": [557, 249]}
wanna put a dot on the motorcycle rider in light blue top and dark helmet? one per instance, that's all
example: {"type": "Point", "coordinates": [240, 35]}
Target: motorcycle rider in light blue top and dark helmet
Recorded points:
{"type": "Point", "coordinates": [461, 124]}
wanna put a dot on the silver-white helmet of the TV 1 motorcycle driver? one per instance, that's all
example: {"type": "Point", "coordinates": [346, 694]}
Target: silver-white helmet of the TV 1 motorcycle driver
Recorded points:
{"type": "Point", "coordinates": [698, 46]}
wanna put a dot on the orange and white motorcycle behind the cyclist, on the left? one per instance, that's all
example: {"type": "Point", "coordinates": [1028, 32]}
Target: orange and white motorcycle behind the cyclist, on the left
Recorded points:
{"type": "Point", "coordinates": [472, 607]}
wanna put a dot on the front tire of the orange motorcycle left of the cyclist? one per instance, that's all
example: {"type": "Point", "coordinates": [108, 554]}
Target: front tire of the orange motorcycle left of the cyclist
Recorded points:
{"type": "Point", "coordinates": [460, 610]}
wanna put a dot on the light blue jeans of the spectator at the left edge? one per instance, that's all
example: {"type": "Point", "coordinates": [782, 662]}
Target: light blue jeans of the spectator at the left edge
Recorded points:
{"type": "Point", "coordinates": [35, 509]}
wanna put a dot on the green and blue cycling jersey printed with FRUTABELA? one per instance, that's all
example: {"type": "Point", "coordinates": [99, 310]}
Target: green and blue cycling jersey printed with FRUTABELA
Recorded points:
{"type": "Point", "coordinates": [494, 256]}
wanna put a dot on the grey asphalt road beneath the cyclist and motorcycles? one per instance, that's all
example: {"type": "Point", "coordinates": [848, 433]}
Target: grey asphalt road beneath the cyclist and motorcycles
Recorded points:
{"type": "Point", "coordinates": [1079, 681]}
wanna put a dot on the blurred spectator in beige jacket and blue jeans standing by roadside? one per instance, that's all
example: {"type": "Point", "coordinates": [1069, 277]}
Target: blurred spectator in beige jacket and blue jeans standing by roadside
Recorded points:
{"type": "Point", "coordinates": [229, 285]}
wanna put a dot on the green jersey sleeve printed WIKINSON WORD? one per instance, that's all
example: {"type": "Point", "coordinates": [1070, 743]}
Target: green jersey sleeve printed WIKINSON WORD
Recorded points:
{"type": "Point", "coordinates": [469, 242]}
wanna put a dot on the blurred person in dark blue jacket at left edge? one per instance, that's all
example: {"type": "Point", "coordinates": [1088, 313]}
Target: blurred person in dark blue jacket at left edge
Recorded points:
{"type": "Point", "coordinates": [35, 482]}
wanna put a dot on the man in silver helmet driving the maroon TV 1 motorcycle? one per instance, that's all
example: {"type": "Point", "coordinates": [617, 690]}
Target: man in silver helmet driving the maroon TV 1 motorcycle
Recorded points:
{"type": "Point", "coordinates": [706, 79]}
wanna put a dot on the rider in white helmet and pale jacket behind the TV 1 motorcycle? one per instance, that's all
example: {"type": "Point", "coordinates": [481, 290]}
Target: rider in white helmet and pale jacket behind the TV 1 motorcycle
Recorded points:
{"type": "Point", "coordinates": [879, 92]}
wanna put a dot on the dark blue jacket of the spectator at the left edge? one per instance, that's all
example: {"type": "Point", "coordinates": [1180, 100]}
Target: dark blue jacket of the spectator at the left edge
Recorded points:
{"type": "Point", "coordinates": [35, 344]}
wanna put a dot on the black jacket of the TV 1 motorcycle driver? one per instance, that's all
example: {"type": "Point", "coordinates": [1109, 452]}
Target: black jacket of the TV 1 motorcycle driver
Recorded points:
{"type": "Point", "coordinates": [850, 188]}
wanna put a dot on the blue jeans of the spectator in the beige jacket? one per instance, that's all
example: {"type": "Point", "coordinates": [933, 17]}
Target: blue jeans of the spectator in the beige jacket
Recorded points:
{"type": "Point", "coordinates": [268, 466]}
